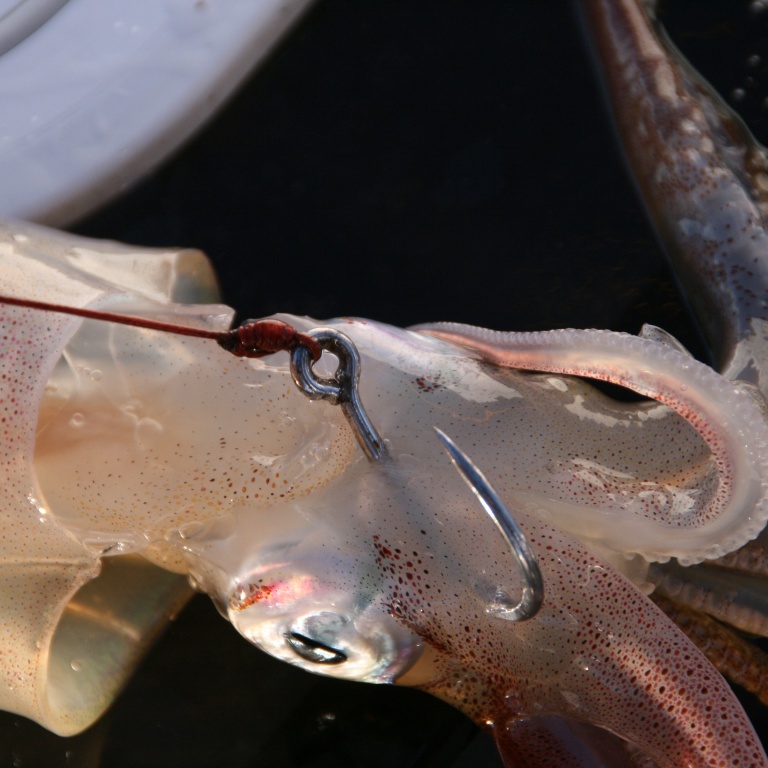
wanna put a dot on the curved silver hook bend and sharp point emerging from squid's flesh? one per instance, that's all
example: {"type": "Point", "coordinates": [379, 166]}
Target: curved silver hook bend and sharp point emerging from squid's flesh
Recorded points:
{"type": "Point", "coordinates": [533, 591]}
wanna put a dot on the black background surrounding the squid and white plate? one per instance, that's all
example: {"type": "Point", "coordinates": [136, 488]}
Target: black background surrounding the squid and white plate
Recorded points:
{"type": "Point", "coordinates": [405, 161]}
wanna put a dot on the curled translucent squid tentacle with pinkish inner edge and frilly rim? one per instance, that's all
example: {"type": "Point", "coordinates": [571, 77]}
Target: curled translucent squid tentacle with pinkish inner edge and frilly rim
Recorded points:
{"type": "Point", "coordinates": [726, 418]}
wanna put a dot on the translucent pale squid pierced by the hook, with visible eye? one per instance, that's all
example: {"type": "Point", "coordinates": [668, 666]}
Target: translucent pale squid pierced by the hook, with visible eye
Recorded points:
{"type": "Point", "coordinates": [119, 441]}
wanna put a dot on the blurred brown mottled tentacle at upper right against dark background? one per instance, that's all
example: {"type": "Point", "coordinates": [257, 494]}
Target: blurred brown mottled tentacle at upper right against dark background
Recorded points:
{"type": "Point", "coordinates": [701, 176]}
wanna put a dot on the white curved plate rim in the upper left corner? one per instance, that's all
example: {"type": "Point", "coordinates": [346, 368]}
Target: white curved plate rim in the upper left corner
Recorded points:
{"type": "Point", "coordinates": [94, 93]}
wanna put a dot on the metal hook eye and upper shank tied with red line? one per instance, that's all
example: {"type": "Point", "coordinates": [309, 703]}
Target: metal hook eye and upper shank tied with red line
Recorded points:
{"type": "Point", "coordinates": [341, 389]}
